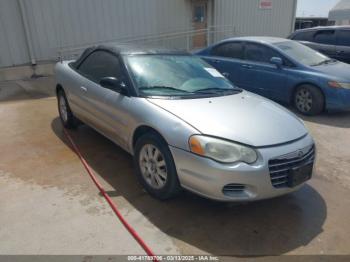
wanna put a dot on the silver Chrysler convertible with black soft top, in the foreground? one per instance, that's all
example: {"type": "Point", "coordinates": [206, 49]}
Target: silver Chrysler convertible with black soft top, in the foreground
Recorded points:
{"type": "Point", "coordinates": [185, 124]}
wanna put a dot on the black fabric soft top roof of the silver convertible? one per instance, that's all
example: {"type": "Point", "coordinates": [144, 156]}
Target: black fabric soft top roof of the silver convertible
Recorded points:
{"type": "Point", "coordinates": [130, 49]}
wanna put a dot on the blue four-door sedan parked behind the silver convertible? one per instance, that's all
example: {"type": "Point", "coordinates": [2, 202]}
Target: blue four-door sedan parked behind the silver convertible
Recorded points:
{"type": "Point", "coordinates": [283, 70]}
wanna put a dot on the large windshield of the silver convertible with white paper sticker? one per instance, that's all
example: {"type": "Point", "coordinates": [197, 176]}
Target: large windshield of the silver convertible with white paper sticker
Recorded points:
{"type": "Point", "coordinates": [177, 75]}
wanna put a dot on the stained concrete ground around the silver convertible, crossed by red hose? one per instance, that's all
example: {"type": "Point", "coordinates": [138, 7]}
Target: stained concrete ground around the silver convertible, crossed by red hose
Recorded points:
{"type": "Point", "coordinates": [48, 204]}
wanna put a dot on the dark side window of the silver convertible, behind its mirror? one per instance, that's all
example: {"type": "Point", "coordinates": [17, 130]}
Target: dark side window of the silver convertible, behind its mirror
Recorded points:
{"type": "Point", "coordinates": [100, 64]}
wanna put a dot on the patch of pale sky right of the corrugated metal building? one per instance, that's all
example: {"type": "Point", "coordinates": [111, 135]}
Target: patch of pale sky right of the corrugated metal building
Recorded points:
{"type": "Point", "coordinates": [315, 7]}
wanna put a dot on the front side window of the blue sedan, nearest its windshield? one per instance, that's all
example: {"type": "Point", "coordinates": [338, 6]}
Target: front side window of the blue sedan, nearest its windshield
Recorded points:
{"type": "Point", "coordinates": [259, 53]}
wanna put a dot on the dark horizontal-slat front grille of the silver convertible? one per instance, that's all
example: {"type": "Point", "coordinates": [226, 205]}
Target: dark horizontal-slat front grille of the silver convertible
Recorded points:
{"type": "Point", "coordinates": [281, 167]}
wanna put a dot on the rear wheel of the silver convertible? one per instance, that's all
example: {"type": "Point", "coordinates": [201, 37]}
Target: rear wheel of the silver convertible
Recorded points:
{"type": "Point", "coordinates": [67, 118]}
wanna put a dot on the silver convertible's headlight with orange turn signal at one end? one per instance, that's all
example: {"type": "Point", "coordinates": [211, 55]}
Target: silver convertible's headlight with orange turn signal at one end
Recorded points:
{"type": "Point", "coordinates": [221, 150]}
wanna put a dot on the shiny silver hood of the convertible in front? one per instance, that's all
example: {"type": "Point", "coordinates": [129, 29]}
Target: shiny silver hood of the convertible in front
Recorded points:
{"type": "Point", "coordinates": [244, 118]}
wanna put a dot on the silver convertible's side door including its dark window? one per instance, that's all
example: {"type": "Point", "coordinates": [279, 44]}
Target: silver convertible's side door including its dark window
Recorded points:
{"type": "Point", "coordinates": [96, 66]}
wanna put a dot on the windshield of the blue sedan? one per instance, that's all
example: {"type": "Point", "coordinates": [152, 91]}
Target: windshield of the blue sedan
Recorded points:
{"type": "Point", "coordinates": [302, 53]}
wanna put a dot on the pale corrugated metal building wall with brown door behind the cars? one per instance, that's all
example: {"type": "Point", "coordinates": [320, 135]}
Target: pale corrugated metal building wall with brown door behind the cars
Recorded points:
{"type": "Point", "coordinates": [33, 31]}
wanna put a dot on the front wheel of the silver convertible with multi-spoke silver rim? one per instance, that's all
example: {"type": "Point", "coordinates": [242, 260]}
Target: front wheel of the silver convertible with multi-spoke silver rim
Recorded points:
{"type": "Point", "coordinates": [156, 170]}
